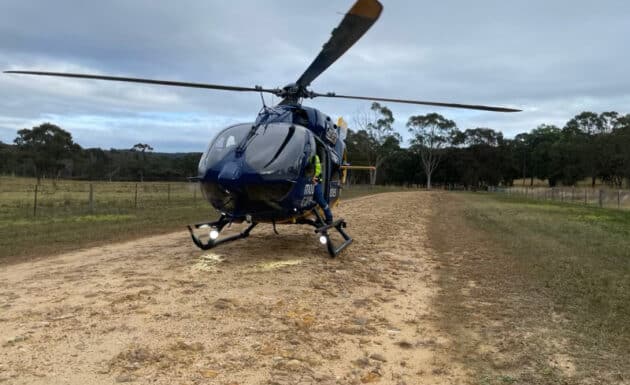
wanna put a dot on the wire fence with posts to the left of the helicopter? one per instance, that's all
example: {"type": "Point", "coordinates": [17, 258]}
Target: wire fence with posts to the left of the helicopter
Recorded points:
{"type": "Point", "coordinates": [76, 198]}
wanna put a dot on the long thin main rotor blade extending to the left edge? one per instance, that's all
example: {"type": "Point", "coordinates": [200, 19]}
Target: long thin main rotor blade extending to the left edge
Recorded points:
{"type": "Point", "coordinates": [146, 81]}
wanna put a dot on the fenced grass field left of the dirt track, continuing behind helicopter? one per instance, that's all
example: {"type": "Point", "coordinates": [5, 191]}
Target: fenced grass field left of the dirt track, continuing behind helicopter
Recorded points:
{"type": "Point", "coordinates": [65, 220]}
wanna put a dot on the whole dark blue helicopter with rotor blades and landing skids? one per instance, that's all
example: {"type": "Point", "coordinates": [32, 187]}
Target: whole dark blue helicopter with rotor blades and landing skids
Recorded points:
{"type": "Point", "coordinates": [262, 171]}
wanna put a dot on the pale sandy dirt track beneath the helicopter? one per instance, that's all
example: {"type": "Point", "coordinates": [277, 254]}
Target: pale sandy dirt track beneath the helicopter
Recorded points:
{"type": "Point", "coordinates": [273, 309]}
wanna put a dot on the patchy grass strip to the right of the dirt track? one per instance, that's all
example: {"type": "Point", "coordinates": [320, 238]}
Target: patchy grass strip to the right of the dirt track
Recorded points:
{"type": "Point", "coordinates": [551, 288]}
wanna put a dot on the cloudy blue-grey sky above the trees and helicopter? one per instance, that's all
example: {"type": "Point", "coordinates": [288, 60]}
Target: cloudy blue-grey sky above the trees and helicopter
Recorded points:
{"type": "Point", "coordinates": [553, 59]}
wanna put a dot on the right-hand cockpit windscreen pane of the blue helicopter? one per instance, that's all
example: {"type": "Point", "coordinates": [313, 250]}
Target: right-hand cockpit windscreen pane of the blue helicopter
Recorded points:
{"type": "Point", "coordinates": [277, 151]}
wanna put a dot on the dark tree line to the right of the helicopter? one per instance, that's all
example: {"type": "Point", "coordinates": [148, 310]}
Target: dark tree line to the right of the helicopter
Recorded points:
{"type": "Point", "coordinates": [589, 146]}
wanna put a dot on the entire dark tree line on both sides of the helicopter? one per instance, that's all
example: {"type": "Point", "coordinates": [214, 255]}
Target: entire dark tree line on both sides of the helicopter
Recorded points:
{"type": "Point", "coordinates": [589, 146]}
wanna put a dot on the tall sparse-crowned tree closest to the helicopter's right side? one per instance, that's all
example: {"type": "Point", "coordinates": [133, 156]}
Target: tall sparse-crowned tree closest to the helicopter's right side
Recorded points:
{"type": "Point", "coordinates": [383, 140]}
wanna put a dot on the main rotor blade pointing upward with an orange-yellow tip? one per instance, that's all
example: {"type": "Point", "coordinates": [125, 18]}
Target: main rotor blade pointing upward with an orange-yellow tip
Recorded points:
{"type": "Point", "coordinates": [356, 22]}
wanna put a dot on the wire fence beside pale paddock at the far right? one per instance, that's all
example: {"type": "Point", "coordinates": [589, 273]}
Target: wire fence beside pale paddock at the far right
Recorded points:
{"type": "Point", "coordinates": [600, 197]}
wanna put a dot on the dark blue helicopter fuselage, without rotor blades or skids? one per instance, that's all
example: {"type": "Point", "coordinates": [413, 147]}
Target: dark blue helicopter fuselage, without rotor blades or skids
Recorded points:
{"type": "Point", "coordinates": [264, 170]}
